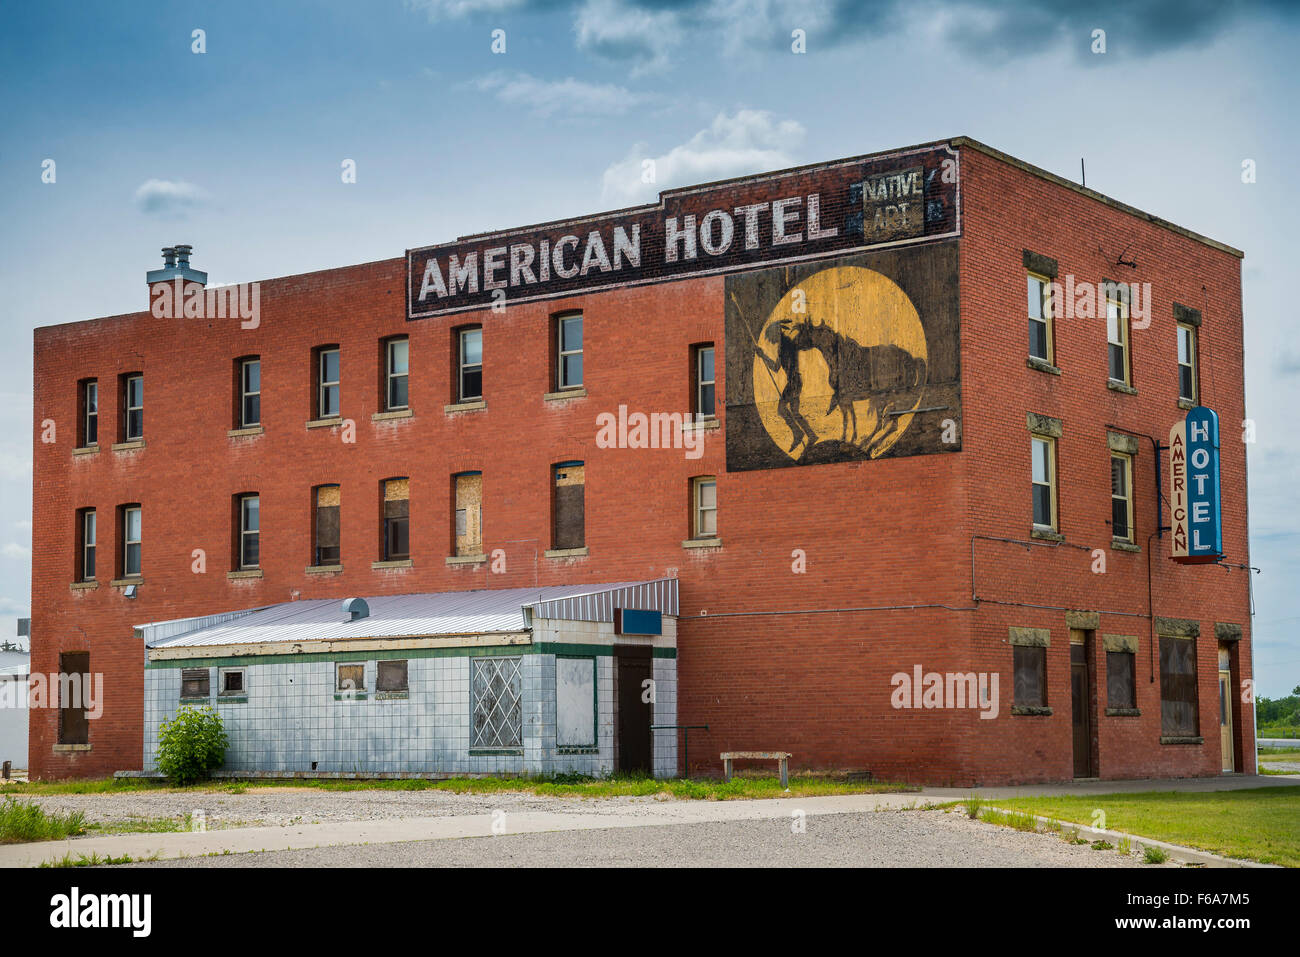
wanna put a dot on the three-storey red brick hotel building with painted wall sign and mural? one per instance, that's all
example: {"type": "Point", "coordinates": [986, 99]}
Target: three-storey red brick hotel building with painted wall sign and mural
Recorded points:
{"type": "Point", "coordinates": [915, 469]}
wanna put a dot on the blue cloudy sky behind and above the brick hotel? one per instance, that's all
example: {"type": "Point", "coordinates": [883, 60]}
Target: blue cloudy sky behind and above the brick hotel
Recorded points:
{"type": "Point", "coordinates": [239, 151]}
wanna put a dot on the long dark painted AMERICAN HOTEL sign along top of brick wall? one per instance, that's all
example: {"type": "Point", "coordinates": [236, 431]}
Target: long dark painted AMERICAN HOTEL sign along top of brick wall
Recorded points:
{"type": "Point", "coordinates": [834, 209]}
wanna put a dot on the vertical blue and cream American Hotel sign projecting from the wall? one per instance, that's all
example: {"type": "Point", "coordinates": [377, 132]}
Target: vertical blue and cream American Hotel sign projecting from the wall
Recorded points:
{"type": "Point", "coordinates": [1194, 488]}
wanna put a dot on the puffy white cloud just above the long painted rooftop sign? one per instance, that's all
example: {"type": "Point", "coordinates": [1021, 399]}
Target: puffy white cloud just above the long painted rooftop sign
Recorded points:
{"type": "Point", "coordinates": [747, 142]}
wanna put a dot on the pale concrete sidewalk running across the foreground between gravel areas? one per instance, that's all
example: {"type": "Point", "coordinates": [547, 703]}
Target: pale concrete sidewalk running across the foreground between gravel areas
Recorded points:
{"type": "Point", "coordinates": [298, 837]}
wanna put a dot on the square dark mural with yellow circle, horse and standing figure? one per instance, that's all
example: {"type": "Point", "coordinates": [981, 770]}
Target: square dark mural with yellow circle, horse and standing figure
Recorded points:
{"type": "Point", "coordinates": [843, 361]}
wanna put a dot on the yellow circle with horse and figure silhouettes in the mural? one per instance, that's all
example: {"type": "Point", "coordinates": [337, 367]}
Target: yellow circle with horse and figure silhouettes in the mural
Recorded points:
{"type": "Point", "coordinates": [840, 366]}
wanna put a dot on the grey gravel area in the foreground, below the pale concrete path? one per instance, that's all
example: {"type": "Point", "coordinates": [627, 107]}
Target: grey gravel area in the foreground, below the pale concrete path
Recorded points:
{"type": "Point", "coordinates": [872, 839]}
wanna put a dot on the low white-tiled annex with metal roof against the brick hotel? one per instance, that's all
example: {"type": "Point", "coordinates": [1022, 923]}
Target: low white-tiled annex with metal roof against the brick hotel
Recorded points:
{"type": "Point", "coordinates": [527, 681]}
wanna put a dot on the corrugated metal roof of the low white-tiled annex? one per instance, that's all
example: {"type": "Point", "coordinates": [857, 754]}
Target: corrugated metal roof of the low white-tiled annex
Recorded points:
{"type": "Point", "coordinates": [492, 612]}
